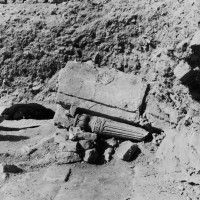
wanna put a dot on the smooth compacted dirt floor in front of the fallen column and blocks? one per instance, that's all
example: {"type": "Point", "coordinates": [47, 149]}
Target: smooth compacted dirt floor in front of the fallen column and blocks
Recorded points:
{"type": "Point", "coordinates": [116, 179]}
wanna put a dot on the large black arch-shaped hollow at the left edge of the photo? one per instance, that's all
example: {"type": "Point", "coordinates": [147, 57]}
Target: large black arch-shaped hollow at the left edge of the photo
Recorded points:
{"type": "Point", "coordinates": [28, 111]}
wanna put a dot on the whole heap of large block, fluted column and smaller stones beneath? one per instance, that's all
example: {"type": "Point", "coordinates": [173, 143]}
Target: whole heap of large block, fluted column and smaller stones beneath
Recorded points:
{"type": "Point", "coordinates": [87, 113]}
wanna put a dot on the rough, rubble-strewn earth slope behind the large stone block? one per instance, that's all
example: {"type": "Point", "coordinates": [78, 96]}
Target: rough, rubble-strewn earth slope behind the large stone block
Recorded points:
{"type": "Point", "coordinates": [140, 41]}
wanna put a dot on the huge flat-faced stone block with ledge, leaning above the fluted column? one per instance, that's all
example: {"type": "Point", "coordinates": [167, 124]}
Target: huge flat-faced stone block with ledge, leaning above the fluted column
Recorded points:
{"type": "Point", "coordinates": [106, 91]}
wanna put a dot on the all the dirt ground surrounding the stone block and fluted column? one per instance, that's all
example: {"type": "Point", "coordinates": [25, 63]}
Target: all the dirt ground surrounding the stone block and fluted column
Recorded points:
{"type": "Point", "coordinates": [150, 39]}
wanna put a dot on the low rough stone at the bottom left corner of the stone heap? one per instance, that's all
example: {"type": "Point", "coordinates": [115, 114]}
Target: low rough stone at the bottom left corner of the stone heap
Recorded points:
{"type": "Point", "coordinates": [67, 157]}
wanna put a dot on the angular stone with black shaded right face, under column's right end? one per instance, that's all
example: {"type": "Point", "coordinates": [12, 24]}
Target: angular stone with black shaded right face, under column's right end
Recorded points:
{"type": "Point", "coordinates": [126, 150]}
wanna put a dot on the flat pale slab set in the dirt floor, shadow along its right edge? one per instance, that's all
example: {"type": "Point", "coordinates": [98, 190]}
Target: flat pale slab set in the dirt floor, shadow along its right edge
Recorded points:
{"type": "Point", "coordinates": [57, 174]}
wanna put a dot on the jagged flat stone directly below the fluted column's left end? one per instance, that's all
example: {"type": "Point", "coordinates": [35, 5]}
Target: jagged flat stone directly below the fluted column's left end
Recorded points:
{"type": "Point", "coordinates": [75, 133]}
